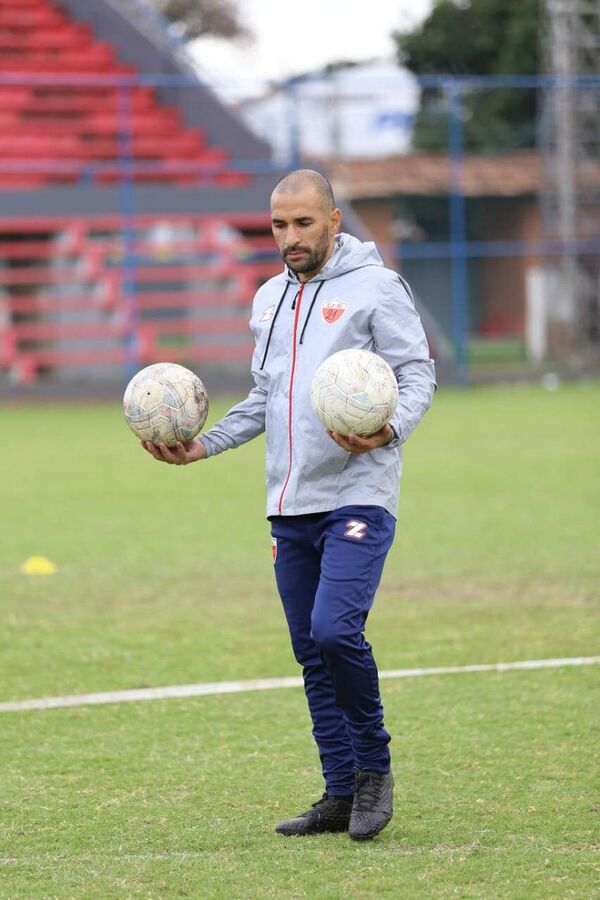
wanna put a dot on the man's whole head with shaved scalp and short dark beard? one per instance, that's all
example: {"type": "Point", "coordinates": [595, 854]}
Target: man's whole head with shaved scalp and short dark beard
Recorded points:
{"type": "Point", "coordinates": [305, 221]}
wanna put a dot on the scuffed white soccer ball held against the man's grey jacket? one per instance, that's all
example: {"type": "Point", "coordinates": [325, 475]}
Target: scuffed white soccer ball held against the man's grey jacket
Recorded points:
{"type": "Point", "coordinates": [354, 391]}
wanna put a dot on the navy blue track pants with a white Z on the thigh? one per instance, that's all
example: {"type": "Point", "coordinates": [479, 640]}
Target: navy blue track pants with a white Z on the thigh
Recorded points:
{"type": "Point", "coordinates": [328, 567]}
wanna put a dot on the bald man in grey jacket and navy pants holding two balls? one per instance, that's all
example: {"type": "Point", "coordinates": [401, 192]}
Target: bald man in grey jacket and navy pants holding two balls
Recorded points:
{"type": "Point", "coordinates": [332, 500]}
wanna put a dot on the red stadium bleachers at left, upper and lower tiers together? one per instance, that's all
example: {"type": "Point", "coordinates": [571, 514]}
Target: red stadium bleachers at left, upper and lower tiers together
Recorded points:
{"type": "Point", "coordinates": [83, 292]}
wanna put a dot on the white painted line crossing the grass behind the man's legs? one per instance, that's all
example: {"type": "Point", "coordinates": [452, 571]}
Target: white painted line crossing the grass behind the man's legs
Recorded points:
{"type": "Point", "coordinates": [268, 684]}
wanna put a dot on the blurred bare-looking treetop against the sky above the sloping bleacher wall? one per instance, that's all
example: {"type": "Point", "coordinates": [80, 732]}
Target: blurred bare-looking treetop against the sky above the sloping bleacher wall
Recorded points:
{"type": "Point", "coordinates": [197, 18]}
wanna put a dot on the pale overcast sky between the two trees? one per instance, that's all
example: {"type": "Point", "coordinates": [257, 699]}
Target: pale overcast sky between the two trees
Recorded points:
{"type": "Point", "coordinates": [297, 37]}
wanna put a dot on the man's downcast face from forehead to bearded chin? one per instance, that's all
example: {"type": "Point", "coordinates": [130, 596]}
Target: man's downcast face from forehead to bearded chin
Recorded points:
{"type": "Point", "coordinates": [304, 230]}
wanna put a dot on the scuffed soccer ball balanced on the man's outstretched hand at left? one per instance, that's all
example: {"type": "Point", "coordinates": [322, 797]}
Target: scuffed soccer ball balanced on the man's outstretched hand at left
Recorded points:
{"type": "Point", "coordinates": [165, 403]}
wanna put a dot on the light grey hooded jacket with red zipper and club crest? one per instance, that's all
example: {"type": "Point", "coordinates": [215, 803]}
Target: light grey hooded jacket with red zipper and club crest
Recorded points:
{"type": "Point", "coordinates": [354, 301]}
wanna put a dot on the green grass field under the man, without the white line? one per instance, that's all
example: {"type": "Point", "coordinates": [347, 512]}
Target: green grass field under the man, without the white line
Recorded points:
{"type": "Point", "coordinates": [164, 577]}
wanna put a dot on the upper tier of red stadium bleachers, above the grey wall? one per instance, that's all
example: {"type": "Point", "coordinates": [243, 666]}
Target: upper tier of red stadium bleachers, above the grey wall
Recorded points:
{"type": "Point", "coordinates": [76, 124]}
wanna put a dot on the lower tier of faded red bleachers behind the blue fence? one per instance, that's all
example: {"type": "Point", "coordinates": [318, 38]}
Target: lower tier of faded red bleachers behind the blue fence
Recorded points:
{"type": "Point", "coordinates": [78, 293]}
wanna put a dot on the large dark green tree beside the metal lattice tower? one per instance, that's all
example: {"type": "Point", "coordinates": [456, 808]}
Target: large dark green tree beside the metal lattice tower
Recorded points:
{"type": "Point", "coordinates": [477, 37]}
